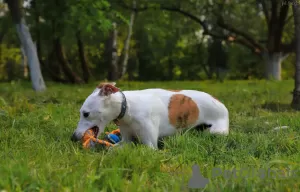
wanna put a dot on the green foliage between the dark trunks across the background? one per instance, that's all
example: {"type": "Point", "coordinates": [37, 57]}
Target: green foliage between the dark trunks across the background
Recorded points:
{"type": "Point", "coordinates": [165, 45]}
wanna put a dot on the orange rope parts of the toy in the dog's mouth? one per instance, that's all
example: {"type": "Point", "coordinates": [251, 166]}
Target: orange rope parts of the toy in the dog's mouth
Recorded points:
{"type": "Point", "coordinates": [90, 139]}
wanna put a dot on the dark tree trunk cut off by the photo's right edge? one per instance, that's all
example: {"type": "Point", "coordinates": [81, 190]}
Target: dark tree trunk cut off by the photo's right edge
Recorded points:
{"type": "Point", "coordinates": [296, 93]}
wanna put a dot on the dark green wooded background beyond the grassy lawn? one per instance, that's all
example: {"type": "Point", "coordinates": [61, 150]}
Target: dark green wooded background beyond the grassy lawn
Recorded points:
{"type": "Point", "coordinates": [169, 40]}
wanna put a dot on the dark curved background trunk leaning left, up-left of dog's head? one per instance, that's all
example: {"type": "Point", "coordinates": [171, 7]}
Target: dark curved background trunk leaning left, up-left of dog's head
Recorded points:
{"type": "Point", "coordinates": [73, 78]}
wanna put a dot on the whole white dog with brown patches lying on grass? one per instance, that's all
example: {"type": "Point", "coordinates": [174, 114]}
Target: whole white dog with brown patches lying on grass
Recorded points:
{"type": "Point", "coordinates": [150, 114]}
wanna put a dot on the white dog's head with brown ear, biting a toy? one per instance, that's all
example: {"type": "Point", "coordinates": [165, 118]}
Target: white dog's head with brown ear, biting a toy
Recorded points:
{"type": "Point", "coordinates": [97, 111]}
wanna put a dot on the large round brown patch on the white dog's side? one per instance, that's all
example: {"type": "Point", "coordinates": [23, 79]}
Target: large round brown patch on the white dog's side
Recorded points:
{"type": "Point", "coordinates": [183, 111]}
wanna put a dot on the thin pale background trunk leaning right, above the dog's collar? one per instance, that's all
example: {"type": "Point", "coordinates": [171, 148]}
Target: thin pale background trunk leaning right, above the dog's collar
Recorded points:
{"type": "Point", "coordinates": [127, 42]}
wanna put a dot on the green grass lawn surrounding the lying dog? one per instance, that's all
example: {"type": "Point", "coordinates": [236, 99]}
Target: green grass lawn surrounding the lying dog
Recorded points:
{"type": "Point", "coordinates": [36, 153]}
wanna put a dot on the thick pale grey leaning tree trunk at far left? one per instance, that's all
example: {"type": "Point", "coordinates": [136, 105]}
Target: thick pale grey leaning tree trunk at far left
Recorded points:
{"type": "Point", "coordinates": [37, 80]}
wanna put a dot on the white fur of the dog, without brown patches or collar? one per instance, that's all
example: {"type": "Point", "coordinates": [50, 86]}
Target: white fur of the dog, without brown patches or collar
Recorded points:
{"type": "Point", "coordinates": [147, 114]}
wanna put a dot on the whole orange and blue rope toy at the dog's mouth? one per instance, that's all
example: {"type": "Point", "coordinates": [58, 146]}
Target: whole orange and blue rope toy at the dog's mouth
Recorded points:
{"type": "Point", "coordinates": [89, 139]}
